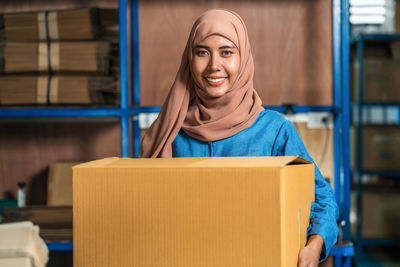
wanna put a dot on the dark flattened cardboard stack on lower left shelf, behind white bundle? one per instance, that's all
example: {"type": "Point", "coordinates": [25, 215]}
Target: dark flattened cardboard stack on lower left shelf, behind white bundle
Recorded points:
{"type": "Point", "coordinates": [55, 222]}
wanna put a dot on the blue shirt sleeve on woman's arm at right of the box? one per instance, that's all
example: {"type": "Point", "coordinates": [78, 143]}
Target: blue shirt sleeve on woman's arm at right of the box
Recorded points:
{"type": "Point", "coordinates": [324, 211]}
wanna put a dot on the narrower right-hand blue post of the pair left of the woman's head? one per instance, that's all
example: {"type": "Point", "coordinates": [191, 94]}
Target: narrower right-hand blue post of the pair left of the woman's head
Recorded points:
{"type": "Point", "coordinates": [135, 73]}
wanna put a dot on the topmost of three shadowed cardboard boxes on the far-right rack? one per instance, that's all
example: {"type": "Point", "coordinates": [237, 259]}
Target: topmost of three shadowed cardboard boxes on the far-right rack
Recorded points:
{"type": "Point", "coordinates": [381, 80]}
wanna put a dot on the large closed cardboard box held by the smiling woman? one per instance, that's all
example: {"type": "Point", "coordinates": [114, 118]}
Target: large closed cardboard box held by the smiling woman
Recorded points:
{"type": "Point", "coordinates": [251, 211]}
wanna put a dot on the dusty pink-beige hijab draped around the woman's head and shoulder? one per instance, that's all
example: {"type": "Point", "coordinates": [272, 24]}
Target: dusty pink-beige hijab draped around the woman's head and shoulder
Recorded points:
{"type": "Point", "coordinates": [187, 107]}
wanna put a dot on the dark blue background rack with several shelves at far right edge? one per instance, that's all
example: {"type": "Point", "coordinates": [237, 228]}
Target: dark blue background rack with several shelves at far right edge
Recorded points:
{"type": "Point", "coordinates": [359, 172]}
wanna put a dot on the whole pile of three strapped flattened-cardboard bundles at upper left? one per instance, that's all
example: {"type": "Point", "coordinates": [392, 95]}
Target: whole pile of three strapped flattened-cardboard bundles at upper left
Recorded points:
{"type": "Point", "coordinates": [59, 57]}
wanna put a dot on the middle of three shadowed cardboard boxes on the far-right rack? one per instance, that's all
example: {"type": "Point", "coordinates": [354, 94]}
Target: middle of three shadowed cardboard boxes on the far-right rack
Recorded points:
{"type": "Point", "coordinates": [381, 148]}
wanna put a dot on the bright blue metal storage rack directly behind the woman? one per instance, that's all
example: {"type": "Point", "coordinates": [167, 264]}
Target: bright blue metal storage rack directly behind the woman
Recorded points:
{"type": "Point", "coordinates": [129, 113]}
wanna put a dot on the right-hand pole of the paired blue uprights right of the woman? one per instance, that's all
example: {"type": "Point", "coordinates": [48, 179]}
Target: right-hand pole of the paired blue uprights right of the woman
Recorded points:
{"type": "Point", "coordinates": [346, 108]}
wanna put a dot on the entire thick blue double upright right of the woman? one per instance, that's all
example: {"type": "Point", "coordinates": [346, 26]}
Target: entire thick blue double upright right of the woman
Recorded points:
{"type": "Point", "coordinates": [341, 130]}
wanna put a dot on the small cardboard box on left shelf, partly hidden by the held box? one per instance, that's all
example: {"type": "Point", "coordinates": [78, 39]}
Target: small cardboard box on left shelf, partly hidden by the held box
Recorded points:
{"type": "Point", "coordinates": [59, 191]}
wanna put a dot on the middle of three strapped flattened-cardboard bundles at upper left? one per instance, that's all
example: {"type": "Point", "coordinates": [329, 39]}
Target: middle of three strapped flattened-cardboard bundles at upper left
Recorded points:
{"type": "Point", "coordinates": [64, 57]}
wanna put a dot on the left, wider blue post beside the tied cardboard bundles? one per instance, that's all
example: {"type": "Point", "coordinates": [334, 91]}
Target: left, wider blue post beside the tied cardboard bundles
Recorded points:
{"type": "Point", "coordinates": [124, 101]}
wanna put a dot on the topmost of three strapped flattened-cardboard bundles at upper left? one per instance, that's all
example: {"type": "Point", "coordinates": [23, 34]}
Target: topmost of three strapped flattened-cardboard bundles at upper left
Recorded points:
{"type": "Point", "coordinates": [79, 24]}
